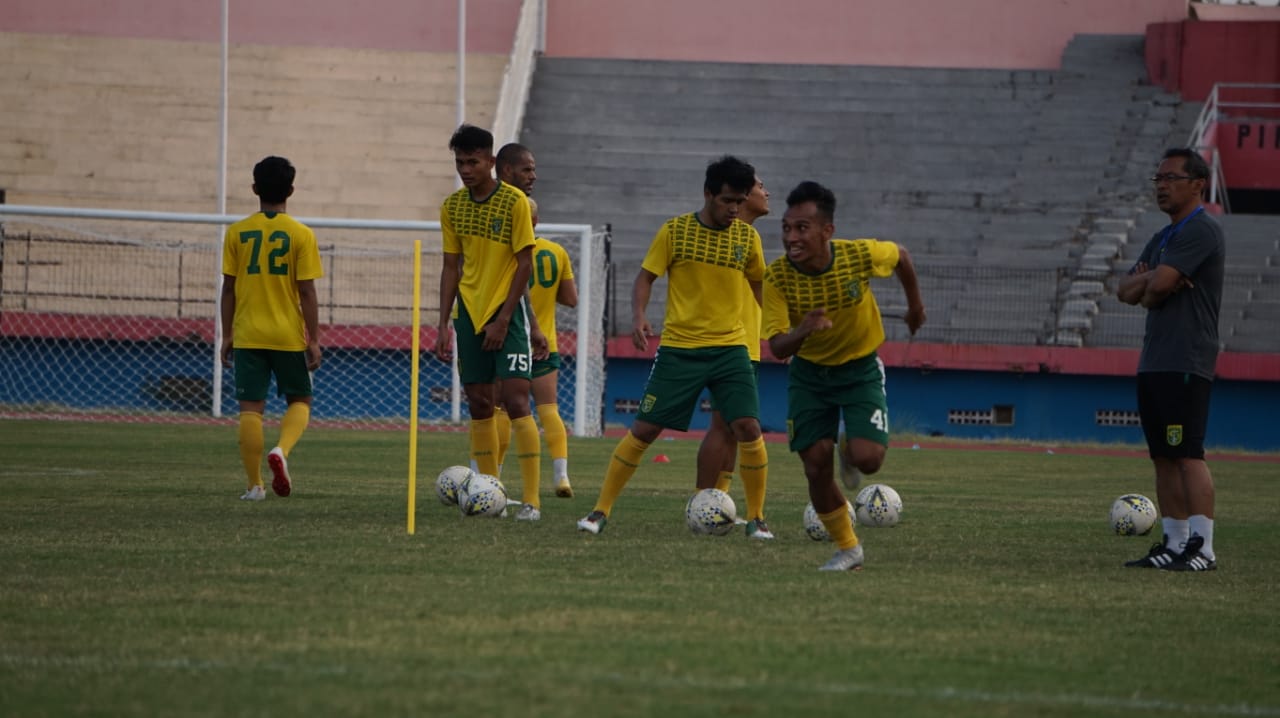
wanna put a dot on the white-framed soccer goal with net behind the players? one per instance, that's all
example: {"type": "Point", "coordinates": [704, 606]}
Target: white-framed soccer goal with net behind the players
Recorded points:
{"type": "Point", "coordinates": [112, 315]}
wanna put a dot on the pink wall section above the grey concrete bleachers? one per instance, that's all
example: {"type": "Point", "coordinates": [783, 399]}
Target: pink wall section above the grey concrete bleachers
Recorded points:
{"type": "Point", "coordinates": [970, 34]}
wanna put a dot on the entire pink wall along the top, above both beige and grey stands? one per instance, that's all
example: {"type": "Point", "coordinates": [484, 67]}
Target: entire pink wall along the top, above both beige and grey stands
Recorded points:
{"type": "Point", "coordinates": [973, 34]}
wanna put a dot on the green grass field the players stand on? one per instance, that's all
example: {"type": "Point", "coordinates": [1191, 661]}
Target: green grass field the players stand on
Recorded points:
{"type": "Point", "coordinates": [136, 584]}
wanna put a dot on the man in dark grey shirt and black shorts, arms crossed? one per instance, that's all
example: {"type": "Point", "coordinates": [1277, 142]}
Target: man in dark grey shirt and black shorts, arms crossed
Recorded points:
{"type": "Point", "coordinates": [1180, 280]}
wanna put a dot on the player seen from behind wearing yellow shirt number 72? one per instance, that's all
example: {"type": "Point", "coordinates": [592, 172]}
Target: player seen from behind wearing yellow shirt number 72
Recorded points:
{"type": "Point", "coordinates": [271, 322]}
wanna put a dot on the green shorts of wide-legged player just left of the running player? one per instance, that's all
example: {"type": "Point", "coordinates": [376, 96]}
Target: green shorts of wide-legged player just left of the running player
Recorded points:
{"type": "Point", "coordinates": [679, 377]}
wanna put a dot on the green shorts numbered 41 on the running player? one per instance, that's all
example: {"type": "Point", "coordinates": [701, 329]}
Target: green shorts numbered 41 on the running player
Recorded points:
{"type": "Point", "coordinates": [817, 397]}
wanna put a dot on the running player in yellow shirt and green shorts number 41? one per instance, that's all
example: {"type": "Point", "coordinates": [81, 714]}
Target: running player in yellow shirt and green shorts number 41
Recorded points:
{"type": "Point", "coordinates": [820, 310]}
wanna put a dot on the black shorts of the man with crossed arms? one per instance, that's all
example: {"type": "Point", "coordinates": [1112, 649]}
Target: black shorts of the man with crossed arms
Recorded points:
{"type": "Point", "coordinates": [1174, 411]}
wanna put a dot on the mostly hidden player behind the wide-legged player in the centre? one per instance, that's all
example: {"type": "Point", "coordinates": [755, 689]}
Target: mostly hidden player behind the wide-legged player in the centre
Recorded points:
{"type": "Point", "coordinates": [719, 451]}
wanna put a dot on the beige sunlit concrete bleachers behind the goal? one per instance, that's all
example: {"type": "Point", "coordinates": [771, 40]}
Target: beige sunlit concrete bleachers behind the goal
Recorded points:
{"type": "Point", "coordinates": [131, 124]}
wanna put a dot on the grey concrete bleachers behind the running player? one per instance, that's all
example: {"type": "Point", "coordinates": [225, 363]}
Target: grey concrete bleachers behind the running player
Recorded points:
{"type": "Point", "coordinates": [966, 168]}
